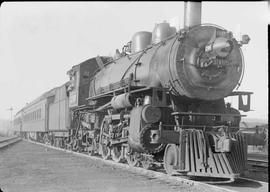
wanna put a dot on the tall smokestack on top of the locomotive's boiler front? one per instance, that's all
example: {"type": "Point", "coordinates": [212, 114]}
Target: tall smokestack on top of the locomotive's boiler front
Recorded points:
{"type": "Point", "coordinates": [192, 15]}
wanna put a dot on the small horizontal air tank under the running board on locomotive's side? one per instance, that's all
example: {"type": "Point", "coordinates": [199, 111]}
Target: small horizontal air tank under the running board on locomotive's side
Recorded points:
{"type": "Point", "coordinates": [121, 101]}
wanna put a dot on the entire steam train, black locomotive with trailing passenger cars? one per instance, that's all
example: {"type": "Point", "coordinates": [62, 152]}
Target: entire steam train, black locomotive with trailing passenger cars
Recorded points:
{"type": "Point", "coordinates": [158, 102]}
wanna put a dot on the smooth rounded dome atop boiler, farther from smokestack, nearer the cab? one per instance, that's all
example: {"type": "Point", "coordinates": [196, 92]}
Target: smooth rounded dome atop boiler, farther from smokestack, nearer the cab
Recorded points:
{"type": "Point", "coordinates": [140, 41]}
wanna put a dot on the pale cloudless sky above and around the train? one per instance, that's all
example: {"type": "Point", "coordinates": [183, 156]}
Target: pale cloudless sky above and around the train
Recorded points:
{"type": "Point", "coordinates": [41, 41]}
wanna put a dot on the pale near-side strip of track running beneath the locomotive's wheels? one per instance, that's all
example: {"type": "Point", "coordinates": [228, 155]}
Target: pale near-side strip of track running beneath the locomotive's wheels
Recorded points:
{"type": "Point", "coordinates": [239, 185]}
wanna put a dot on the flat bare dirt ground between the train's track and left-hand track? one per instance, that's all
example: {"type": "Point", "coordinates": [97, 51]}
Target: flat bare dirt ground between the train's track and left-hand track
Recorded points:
{"type": "Point", "coordinates": [29, 167]}
